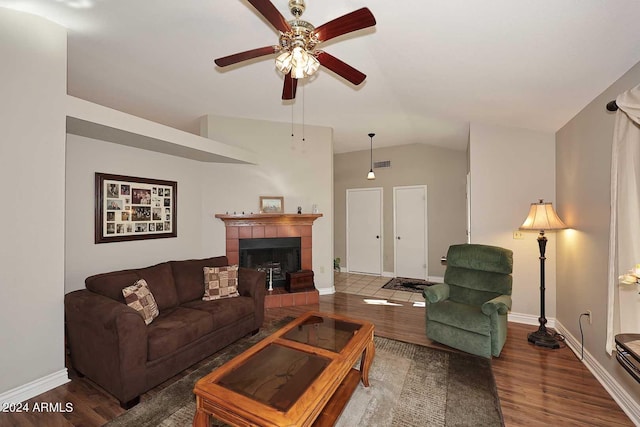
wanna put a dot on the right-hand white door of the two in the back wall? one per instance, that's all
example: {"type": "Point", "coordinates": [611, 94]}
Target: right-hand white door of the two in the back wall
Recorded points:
{"type": "Point", "coordinates": [410, 231]}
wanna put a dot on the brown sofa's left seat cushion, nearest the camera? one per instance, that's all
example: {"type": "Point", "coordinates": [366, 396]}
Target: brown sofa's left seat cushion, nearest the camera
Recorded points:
{"type": "Point", "coordinates": [176, 328]}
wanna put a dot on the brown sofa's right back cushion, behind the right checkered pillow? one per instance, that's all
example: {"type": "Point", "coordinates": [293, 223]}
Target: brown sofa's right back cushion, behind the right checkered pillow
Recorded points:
{"type": "Point", "coordinates": [187, 276]}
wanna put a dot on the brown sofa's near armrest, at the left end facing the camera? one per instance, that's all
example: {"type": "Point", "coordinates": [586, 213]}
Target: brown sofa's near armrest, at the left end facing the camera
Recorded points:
{"type": "Point", "coordinates": [107, 342]}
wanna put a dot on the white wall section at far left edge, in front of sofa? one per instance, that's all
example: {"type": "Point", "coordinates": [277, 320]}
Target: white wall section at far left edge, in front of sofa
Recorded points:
{"type": "Point", "coordinates": [32, 119]}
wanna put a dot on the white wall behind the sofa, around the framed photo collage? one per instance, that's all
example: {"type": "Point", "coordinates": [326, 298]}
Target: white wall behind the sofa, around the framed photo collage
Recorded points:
{"type": "Point", "coordinates": [83, 257]}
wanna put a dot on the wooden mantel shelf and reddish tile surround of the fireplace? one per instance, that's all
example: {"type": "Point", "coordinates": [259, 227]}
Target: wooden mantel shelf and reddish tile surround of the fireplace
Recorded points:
{"type": "Point", "coordinates": [259, 226]}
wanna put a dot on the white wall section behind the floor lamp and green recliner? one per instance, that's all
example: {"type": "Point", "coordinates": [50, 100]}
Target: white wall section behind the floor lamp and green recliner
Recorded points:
{"type": "Point", "coordinates": [510, 169]}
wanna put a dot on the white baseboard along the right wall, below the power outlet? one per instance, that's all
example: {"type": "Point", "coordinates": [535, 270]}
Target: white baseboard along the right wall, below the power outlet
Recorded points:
{"type": "Point", "coordinates": [610, 384]}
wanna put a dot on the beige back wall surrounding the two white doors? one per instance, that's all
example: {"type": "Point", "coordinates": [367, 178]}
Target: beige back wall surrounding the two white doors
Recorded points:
{"type": "Point", "coordinates": [443, 171]}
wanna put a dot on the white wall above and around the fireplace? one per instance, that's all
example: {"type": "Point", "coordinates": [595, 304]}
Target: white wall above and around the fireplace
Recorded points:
{"type": "Point", "coordinates": [300, 171]}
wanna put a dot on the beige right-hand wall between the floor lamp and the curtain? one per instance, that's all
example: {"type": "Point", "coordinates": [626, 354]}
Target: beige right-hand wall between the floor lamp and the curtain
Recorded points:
{"type": "Point", "coordinates": [583, 150]}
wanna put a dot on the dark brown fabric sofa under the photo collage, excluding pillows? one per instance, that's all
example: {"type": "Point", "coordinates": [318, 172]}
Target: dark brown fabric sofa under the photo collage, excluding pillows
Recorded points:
{"type": "Point", "coordinates": [111, 345]}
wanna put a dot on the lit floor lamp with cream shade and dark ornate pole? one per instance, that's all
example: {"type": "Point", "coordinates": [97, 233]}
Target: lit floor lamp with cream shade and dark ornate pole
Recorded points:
{"type": "Point", "coordinates": [542, 217]}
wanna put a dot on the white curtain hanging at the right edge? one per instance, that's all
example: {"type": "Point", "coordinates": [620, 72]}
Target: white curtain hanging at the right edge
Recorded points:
{"type": "Point", "coordinates": [623, 315]}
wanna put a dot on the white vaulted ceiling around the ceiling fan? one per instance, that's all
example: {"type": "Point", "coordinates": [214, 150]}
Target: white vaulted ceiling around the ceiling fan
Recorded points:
{"type": "Point", "coordinates": [432, 66]}
